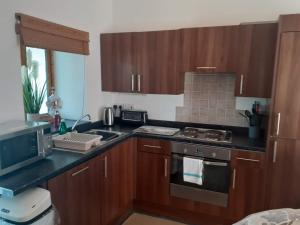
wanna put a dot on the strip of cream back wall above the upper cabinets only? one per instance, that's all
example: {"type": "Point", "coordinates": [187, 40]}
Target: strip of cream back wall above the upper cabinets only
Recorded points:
{"type": "Point", "coordinates": [138, 15]}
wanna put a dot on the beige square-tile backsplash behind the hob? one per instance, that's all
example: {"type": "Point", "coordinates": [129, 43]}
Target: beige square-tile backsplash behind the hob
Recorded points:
{"type": "Point", "coordinates": [210, 99]}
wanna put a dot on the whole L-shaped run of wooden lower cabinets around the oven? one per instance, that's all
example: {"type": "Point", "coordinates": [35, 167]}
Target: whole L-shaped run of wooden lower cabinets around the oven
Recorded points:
{"type": "Point", "coordinates": [136, 175]}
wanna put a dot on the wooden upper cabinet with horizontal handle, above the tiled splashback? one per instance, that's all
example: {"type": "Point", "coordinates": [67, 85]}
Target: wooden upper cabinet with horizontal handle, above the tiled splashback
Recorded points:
{"type": "Point", "coordinates": [209, 49]}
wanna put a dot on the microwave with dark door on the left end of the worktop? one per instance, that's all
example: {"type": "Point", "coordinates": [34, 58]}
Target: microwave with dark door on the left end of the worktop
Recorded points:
{"type": "Point", "coordinates": [23, 143]}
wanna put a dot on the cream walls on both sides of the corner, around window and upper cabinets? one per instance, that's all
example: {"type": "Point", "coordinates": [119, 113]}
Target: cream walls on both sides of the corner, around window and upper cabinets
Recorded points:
{"type": "Point", "coordinates": [96, 16]}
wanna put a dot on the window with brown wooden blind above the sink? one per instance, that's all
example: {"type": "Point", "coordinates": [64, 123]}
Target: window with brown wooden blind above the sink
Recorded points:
{"type": "Point", "coordinates": [57, 56]}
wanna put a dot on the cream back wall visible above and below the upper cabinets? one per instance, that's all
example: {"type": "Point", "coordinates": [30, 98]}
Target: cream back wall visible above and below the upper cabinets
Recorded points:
{"type": "Point", "coordinates": [141, 15]}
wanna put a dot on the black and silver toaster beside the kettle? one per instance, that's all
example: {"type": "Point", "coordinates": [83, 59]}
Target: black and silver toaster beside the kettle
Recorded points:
{"type": "Point", "coordinates": [134, 116]}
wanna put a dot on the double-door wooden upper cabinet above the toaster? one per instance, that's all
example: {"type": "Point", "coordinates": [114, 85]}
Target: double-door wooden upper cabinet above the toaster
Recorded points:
{"type": "Point", "coordinates": [142, 62]}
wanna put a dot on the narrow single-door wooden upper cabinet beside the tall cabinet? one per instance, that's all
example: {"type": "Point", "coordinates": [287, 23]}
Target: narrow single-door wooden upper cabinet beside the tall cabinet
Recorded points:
{"type": "Point", "coordinates": [256, 57]}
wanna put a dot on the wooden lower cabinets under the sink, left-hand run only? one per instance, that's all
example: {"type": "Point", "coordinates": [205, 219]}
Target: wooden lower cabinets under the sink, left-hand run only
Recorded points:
{"type": "Point", "coordinates": [98, 192]}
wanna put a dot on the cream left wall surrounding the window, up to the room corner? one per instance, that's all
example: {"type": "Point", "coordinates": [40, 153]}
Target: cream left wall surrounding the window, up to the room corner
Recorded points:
{"type": "Point", "coordinates": [94, 16]}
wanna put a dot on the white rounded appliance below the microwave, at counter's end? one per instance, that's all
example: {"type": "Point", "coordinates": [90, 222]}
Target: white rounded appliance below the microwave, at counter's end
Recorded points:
{"type": "Point", "coordinates": [32, 207]}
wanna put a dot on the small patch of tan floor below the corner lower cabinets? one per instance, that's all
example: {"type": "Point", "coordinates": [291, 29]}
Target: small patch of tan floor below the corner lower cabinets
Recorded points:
{"type": "Point", "coordinates": [140, 219]}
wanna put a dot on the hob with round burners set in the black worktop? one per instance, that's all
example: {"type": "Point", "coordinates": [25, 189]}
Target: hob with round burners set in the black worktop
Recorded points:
{"type": "Point", "coordinates": [209, 135]}
